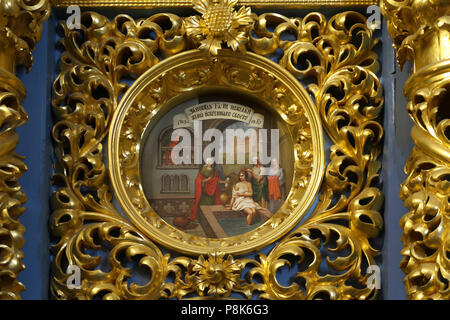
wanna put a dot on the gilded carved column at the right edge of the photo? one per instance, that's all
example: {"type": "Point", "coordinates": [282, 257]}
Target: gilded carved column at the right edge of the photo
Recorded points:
{"type": "Point", "coordinates": [420, 30]}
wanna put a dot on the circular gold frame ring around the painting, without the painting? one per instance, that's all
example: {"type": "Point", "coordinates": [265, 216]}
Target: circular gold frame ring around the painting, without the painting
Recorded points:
{"type": "Point", "coordinates": [144, 103]}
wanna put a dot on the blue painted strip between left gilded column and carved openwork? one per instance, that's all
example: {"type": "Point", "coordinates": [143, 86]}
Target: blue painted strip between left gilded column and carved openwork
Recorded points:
{"type": "Point", "coordinates": [35, 146]}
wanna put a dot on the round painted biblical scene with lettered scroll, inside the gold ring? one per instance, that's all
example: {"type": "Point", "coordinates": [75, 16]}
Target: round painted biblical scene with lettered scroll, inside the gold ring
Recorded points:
{"type": "Point", "coordinates": [217, 168]}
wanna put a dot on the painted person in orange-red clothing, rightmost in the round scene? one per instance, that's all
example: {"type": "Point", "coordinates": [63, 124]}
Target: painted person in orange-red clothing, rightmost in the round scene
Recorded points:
{"type": "Point", "coordinates": [276, 186]}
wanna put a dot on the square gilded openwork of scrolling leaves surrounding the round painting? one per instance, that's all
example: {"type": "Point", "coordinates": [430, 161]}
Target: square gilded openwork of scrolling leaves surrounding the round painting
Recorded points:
{"type": "Point", "coordinates": [334, 57]}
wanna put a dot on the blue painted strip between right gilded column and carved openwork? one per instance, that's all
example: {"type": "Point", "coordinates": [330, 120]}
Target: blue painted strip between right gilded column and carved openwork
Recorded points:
{"type": "Point", "coordinates": [397, 147]}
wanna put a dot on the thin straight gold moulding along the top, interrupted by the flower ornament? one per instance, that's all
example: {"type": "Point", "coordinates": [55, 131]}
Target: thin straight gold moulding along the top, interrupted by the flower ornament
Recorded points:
{"type": "Point", "coordinates": [140, 4]}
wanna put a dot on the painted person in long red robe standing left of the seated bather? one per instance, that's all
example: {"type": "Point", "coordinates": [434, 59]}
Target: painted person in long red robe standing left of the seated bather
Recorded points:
{"type": "Point", "coordinates": [207, 187]}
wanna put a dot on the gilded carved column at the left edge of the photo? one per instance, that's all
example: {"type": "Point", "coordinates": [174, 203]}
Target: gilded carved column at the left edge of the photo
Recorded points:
{"type": "Point", "coordinates": [20, 29]}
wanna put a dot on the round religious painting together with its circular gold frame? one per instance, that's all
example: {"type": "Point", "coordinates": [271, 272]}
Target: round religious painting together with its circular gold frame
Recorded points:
{"type": "Point", "coordinates": [209, 153]}
